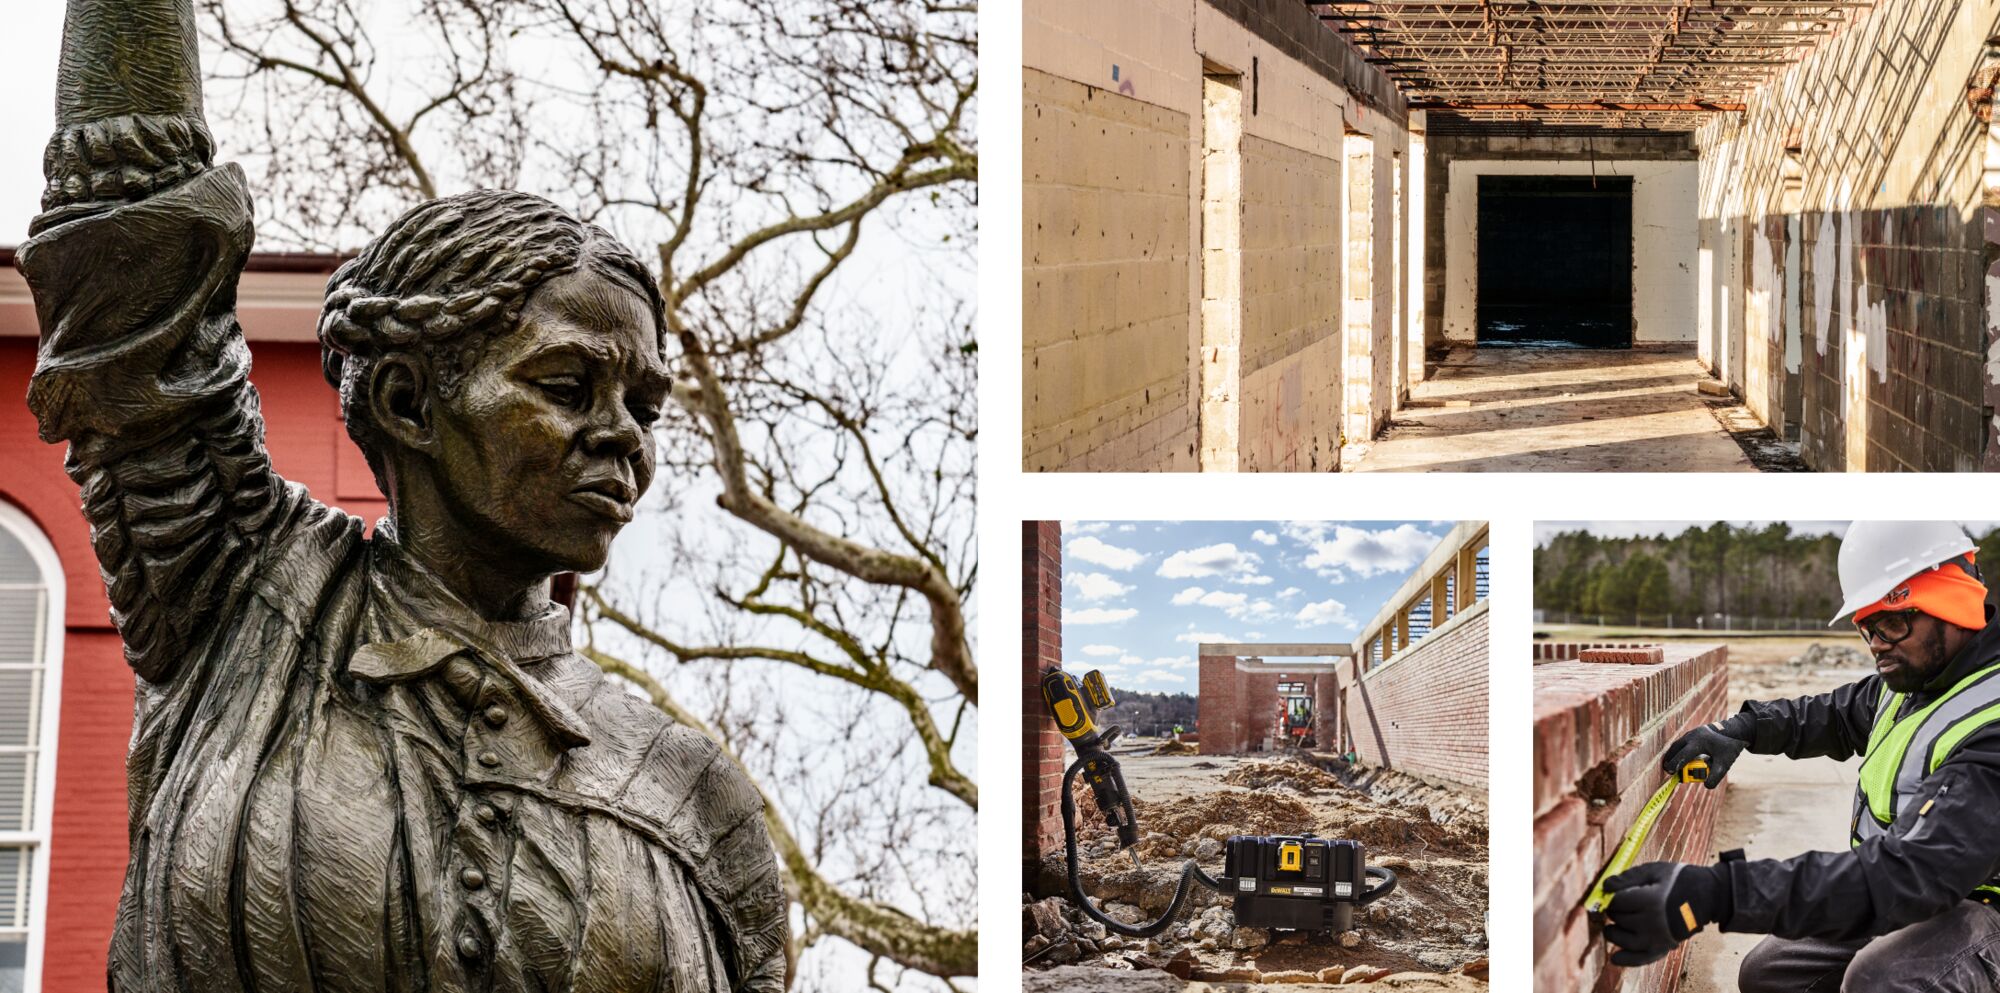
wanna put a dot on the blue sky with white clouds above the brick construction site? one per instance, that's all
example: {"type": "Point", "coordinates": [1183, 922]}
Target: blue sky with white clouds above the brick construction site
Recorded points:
{"type": "Point", "coordinates": [1141, 596]}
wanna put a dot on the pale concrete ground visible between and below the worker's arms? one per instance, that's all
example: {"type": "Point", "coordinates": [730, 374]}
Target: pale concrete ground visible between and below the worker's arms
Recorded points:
{"type": "Point", "coordinates": [1777, 808]}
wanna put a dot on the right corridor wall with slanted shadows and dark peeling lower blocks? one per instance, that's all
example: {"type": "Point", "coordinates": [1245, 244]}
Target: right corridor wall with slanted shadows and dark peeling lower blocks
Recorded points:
{"type": "Point", "coordinates": [1889, 297]}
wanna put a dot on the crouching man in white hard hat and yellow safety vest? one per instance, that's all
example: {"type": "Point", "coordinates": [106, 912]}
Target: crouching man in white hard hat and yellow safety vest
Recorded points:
{"type": "Point", "coordinates": [1911, 904]}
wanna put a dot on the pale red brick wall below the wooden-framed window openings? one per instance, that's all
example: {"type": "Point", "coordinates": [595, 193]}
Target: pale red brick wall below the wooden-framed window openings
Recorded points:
{"type": "Point", "coordinates": [1427, 712]}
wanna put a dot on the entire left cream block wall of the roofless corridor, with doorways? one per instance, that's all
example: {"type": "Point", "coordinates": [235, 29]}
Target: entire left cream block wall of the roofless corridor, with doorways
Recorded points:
{"type": "Point", "coordinates": [1115, 269]}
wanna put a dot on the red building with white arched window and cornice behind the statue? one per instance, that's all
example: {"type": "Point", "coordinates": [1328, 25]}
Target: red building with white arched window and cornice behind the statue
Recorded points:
{"type": "Point", "coordinates": [65, 688]}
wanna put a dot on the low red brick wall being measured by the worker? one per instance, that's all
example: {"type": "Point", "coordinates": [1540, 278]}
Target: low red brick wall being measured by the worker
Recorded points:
{"type": "Point", "coordinates": [1599, 736]}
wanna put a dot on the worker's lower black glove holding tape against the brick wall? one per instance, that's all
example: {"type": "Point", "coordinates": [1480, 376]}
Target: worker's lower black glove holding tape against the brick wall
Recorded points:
{"type": "Point", "coordinates": [1657, 906]}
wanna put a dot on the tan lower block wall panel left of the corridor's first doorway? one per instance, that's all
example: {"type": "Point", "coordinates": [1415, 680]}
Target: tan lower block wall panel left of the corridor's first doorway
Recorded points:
{"type": "Point", "coordinates": [1105, 283]}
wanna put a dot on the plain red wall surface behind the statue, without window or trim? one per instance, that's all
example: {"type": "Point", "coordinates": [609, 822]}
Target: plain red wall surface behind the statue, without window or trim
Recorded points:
{"type": "Point", "coordinates": [89, 838]}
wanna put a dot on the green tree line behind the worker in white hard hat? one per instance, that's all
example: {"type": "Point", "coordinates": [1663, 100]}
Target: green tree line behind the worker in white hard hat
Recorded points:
{"type": "Point", "coordinates": [1717, 570]}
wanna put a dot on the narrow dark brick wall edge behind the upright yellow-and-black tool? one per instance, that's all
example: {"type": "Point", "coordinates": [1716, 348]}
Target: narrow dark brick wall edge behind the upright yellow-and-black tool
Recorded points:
{"type": "Point", "coordinates": [1041, 650]}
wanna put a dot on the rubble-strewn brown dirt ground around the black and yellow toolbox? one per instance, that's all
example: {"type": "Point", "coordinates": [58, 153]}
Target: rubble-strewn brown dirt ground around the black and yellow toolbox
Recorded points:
{"type": "Point", "coordinates": [1429, 934]}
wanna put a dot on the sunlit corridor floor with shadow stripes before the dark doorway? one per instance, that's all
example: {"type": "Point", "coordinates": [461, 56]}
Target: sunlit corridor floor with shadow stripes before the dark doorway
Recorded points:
{"type": "Point", "coordinates": [1557, 411]}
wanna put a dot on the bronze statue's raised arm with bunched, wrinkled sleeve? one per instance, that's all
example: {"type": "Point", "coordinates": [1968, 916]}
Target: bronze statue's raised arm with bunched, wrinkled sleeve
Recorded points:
{"type": "Point", "coordinates": [143, 367]}
